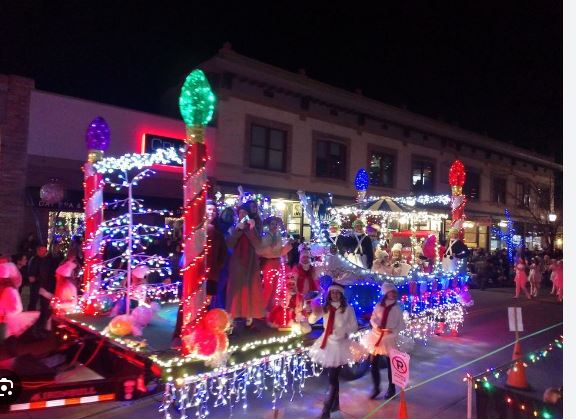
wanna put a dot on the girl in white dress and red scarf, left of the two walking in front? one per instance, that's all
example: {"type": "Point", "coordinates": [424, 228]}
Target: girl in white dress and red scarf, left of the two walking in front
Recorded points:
{"type": "Point", "coordinates": [334, 349]}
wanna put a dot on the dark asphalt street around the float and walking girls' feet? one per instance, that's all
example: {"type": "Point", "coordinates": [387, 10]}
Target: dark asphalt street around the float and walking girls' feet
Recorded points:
{"type": "Point", "coordinates": [485, 330]}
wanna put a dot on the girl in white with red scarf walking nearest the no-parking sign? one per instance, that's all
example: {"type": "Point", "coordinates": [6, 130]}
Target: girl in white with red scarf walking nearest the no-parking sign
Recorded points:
{"type": "Point", "coordinates": [387, 321]}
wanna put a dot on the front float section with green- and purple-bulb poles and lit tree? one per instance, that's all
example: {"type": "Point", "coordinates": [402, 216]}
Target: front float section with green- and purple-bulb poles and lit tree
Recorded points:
{"type": "Point", "coordinates": [121, 327]}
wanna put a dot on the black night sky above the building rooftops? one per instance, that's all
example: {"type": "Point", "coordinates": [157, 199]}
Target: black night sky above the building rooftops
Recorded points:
{"type": "Point", "coordinates": [494, 67]}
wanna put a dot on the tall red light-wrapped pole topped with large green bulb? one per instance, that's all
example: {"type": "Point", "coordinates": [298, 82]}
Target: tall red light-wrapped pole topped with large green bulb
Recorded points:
{"type": "Point", "coordinates": [197, 108]}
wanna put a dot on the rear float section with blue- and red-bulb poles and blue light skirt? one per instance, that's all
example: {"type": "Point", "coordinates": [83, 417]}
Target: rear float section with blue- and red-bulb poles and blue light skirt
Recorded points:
{"type": "Point", "coordinates": [406, 232]}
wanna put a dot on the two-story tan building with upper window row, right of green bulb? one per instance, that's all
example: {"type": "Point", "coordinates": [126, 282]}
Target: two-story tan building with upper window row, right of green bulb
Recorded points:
{"type": "Point", "coordinates": [282, 131]}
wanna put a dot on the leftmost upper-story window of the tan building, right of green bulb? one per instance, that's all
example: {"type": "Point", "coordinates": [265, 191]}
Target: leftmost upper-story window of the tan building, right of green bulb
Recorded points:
{"type": "Point", "coordinates": [267, 148]}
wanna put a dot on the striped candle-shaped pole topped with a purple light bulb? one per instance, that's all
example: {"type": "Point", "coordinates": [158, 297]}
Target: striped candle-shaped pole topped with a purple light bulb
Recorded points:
{"type": "Point", "coordinates": [97, 141]}
